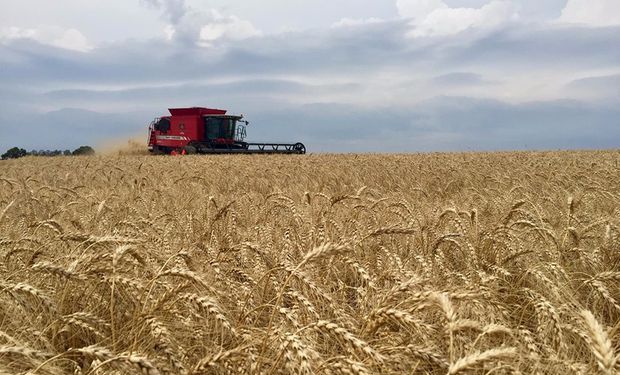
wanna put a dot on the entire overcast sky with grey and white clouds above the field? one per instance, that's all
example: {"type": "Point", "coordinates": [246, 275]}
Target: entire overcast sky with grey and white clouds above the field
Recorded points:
{"type": "Point", "coordinates": [348, 75]}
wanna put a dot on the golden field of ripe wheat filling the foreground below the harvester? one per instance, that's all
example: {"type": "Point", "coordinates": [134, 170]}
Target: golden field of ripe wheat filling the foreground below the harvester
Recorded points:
{"type": "Point", "coordinates": [437, 263]}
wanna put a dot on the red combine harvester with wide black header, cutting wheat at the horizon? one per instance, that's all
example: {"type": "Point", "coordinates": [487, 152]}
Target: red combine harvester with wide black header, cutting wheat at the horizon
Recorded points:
{"type": "Point", "coordinates": [208, 131]}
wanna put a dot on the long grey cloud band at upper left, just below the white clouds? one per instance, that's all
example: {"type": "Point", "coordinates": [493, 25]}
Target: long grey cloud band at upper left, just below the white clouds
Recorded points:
{"type": "Point", "coordinates": [133, 62]}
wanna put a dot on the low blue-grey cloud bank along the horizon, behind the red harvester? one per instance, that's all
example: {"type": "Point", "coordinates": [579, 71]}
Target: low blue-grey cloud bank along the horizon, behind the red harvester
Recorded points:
{"type": "Point", "coordinates": [443, 123]}
